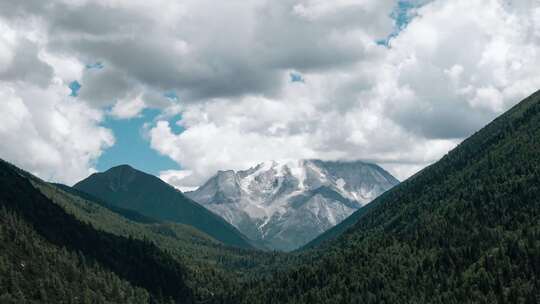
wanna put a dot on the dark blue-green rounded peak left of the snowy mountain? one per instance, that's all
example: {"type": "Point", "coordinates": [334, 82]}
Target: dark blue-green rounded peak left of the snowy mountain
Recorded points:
{"type": "Point", "coordinates": [127, 188]}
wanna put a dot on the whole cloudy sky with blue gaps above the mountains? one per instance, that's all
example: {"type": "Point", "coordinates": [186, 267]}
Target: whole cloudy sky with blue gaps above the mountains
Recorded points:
{"type": "Point", "coordinates": [184, 88]}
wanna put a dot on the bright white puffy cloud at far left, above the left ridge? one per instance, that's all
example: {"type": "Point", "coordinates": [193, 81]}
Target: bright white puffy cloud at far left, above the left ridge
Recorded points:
{"type": "Point", "coordinates": [43, 130]}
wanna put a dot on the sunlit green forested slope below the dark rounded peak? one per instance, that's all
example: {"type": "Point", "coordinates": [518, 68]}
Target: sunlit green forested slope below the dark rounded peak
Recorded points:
{"type": "Point", "coordinates": [211, 268]}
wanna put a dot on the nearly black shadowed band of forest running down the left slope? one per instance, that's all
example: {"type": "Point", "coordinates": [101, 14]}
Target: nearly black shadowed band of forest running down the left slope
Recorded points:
{"type": "Point", "coordinates": [139, 262]}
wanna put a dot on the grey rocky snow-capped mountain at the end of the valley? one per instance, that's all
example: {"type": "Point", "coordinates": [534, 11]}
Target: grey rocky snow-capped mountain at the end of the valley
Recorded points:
{"type": "Point", "coordinates": [285, 204]}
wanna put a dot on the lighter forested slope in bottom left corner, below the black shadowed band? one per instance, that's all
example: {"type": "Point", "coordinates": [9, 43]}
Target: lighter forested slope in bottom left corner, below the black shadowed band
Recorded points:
{"type": "Point", "coordinates": [33, 270]}
